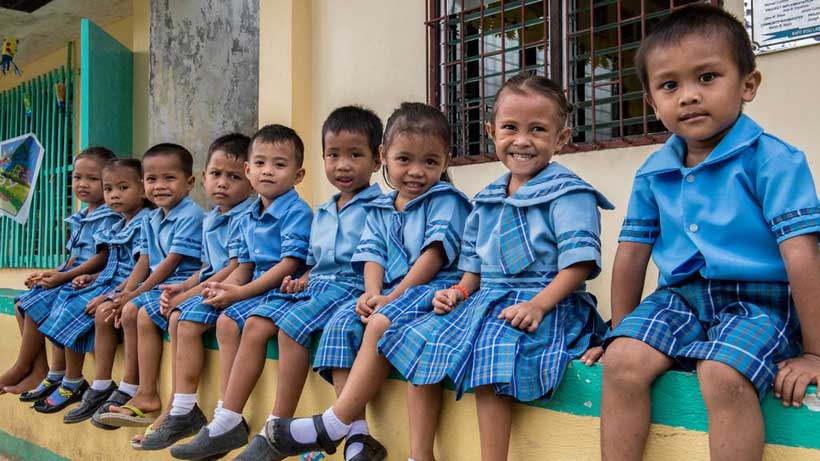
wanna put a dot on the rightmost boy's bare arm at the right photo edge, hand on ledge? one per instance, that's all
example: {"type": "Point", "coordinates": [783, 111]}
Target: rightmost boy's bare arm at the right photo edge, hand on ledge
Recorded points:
{"type": "Point", "coordinates": [802, 260]}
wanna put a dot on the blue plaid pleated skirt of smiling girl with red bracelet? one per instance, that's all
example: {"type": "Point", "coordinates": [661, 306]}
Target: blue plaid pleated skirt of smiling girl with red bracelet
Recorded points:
{"type": "Point", "coordinates": [472, 347]}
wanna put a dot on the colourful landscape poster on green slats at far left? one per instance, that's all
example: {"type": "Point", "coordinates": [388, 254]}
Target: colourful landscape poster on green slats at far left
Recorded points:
{"type": "Point", "coordinates": [20, 159]}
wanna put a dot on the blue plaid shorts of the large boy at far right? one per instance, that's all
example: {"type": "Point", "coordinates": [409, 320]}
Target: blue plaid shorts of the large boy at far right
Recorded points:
{"type": "Point", "coordinates": [750, 326]}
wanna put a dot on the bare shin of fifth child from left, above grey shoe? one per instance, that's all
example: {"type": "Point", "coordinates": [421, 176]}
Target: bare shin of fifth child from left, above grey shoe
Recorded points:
{"type": "Point", "coordinates": [249, 363]}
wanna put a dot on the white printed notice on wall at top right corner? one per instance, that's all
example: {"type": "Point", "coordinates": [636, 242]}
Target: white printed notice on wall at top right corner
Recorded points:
{"type": "Point", "coordinates": [776, 25]}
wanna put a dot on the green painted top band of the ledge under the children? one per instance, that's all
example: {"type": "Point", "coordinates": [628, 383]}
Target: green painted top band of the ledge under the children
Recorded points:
{"type": "Point", "coordinates": [676, 397]}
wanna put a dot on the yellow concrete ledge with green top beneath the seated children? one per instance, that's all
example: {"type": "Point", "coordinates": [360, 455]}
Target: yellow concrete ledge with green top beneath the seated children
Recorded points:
{"type": "Point", "coordinates": [678, 410]}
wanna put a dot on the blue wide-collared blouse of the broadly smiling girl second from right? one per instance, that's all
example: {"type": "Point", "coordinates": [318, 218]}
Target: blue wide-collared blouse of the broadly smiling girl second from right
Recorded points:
{"type": "Point", "coordinates": [563, 220]}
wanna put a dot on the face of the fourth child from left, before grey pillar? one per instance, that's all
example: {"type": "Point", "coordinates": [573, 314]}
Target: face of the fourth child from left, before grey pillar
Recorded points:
{"type": "Point", "coordinates": [224, 180]}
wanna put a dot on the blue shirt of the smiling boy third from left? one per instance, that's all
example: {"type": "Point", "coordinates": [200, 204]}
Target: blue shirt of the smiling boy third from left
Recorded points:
{"type": "Point", "coordinates": [180, 232]}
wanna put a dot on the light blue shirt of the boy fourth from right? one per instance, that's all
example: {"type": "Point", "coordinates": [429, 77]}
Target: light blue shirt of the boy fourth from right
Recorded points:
{"type": "Point", "coordinates": [335, 234]}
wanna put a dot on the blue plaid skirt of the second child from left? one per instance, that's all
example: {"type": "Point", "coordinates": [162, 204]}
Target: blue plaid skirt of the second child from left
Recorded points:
{"type": "Point", "coordinates": [68, 325]}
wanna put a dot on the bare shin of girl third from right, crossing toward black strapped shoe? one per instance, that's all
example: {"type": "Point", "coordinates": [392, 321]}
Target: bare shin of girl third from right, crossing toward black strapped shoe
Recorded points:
{"type": "Point", "coordinates": [369, 371]}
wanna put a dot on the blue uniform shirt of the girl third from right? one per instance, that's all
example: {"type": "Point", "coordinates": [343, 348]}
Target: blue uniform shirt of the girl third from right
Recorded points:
{"type": "Point", "coordinates": [438, 215]}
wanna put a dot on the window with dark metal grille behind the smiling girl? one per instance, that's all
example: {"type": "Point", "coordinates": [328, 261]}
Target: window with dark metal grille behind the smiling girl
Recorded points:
{"type": "Point", "coordinates": [473, 46]}
